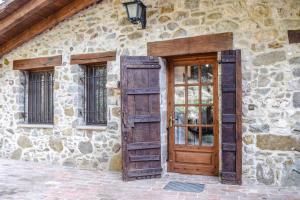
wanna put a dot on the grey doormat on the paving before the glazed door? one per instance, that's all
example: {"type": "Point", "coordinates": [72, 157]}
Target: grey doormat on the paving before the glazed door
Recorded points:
{"type": "Point", "coordinates": [184, 187]}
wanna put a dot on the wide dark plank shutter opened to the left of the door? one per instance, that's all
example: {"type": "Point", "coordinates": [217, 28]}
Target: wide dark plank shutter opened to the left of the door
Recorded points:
{"type": "Point", "coordinates": [140, 117]}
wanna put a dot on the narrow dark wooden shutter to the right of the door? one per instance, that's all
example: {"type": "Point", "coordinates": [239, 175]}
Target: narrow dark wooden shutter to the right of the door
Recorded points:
{"type": "Point", "coordinates": [231, 117]}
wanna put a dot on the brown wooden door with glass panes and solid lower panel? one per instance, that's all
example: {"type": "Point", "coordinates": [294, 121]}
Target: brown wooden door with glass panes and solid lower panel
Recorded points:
{"type": "Point", "coordinates": [193, 115]}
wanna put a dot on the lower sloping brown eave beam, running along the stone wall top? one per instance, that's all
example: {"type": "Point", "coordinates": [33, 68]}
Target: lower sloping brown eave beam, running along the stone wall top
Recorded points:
{"type": "Point", "coordinates": [67, 11]}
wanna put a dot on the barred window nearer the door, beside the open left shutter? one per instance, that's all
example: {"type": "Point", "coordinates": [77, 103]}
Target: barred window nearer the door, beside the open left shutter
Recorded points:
{"type": "Point", "coordinates": [95, 95]}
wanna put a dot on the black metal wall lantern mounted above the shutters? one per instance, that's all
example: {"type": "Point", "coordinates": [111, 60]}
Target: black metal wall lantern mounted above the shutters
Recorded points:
{"type": "Point", "coordinates": [136, 12]}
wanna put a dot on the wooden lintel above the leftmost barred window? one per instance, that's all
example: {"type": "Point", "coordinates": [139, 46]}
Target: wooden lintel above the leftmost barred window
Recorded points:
{"type": "Point", "coordinates": [37, 63]}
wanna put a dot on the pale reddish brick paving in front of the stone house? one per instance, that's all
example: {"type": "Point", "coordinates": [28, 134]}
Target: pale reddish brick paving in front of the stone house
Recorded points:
{"type": "Point", "coordinates": [25, 180]}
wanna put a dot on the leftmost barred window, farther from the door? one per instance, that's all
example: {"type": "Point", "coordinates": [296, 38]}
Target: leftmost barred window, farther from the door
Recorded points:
{"type": "Point", "coordinates": [40, 97]}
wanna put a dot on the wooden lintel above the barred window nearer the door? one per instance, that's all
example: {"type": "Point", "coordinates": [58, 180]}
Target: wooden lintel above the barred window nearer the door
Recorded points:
{"type": "Point", "coordinates": [93, 58]}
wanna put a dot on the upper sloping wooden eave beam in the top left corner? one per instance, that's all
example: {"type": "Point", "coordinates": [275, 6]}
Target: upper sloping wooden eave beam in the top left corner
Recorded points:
{"type": "Point", "coordinates": [21, 14]}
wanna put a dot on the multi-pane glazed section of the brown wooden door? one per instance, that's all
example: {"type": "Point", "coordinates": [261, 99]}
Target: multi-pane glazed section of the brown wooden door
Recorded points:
{"type": "Point", "coordinates": [193, 101]}
